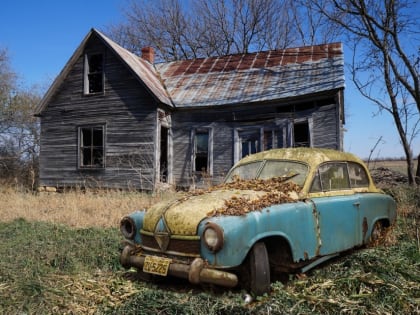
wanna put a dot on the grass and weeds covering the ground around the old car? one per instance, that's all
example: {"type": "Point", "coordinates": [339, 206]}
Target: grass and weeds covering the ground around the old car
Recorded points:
{"type": "Point", "coordinates": [53, 268]}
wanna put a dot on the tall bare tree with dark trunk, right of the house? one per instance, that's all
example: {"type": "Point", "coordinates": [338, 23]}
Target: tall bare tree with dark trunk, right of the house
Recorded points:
{"type": "Point", "coordinates": [384, 36]}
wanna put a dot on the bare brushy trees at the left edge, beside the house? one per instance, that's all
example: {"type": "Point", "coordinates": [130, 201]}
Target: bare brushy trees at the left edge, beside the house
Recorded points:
{"type": "Point", "coordinates": [19, 129]}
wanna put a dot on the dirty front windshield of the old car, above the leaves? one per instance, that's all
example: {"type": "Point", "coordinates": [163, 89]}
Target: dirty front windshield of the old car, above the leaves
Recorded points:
{"type": "Point", "coordinates": [289, 170]}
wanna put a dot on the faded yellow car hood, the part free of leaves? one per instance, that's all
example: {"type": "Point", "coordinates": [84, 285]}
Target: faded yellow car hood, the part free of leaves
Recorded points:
{"type": "Point", "coordinates": [183, 214]}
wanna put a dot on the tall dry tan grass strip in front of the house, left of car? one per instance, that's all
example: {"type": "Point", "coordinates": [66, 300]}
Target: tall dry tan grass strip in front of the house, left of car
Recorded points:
{"type": "Point", "coordinates": [76, 208]}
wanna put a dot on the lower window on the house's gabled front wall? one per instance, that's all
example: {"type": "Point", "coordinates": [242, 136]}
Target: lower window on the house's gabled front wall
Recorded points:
{"type": "Point", "coordinates": [91, 147]}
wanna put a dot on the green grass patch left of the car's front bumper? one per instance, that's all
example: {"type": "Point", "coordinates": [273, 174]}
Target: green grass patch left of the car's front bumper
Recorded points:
{"type": "Point", "coordinates": [39, 261]}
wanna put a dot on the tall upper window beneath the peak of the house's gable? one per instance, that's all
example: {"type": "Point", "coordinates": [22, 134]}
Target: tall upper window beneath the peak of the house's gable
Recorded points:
{"type": "Point", "coordinates": [94, 73]}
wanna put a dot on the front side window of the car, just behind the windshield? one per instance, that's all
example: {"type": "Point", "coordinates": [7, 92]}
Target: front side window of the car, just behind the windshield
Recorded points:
{"type": "Point", "coordinates": [331, 176]}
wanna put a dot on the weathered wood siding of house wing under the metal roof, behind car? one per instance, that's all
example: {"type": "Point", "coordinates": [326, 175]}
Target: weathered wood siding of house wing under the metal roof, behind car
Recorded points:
{"type": "Point", "coordinates": [224, 121]}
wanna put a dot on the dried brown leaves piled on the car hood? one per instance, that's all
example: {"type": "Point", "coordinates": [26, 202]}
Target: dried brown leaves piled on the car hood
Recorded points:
{"type": "Point", "coordinates": [277, 190]}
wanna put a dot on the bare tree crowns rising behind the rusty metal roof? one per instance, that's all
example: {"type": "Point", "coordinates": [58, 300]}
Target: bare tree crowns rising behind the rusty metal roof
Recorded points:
{"type": "Point", "coordinates": [184, 30]}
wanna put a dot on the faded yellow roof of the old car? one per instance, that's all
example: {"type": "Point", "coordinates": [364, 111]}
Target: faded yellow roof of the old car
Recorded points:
{"type": "Point", "coordinates": [310, 156]}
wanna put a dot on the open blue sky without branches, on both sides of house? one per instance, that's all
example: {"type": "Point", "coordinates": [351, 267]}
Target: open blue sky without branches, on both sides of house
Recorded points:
{"type": "Point", "coordinates": [42, 35]}
